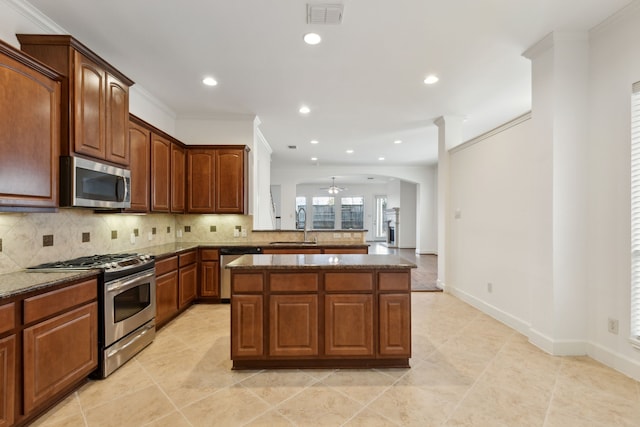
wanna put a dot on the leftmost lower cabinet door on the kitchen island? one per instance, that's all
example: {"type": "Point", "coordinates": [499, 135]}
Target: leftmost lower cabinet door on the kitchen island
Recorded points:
{"type": "Point", "coordinates": [247, 326]}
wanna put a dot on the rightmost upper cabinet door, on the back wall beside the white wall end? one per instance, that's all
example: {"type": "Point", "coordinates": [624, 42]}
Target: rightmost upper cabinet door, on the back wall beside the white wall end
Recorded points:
{"type": "Point", "coordinates": [229, 181]}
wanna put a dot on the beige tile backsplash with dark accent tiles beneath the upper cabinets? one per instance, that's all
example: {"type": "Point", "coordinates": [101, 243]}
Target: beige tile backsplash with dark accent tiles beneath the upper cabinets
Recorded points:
{"type": "Point", "coordinates": [34, 238]}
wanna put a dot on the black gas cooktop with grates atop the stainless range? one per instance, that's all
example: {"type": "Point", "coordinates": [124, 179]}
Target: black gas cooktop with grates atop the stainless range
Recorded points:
{"type": "Point", "coordinates": [107, 262]}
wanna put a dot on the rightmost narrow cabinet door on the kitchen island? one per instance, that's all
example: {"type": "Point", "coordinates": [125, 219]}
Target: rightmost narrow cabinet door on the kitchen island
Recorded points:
{"type": "Point", "coordinates": [395, 326]}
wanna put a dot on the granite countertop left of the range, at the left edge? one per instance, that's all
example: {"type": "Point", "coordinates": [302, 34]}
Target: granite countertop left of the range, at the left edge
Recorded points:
{"type": "Point", "coordinates": [23, 281]}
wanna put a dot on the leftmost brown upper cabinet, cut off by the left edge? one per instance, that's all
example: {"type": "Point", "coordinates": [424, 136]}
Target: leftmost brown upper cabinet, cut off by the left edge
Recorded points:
{"type": "Point", "coordinates": [29, 132]}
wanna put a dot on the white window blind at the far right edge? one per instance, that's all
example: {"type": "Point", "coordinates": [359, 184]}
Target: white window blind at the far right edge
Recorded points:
{"type": "Point", "coordinates": [635, 215]}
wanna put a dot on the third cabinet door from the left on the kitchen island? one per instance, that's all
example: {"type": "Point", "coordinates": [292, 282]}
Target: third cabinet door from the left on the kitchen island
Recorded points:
{"type": "Point", "coordinates": [348, 325]}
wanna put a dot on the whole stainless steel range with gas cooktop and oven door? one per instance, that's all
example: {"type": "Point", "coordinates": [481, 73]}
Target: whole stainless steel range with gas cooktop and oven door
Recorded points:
{"type": "Point", "coordinates": [127, 302]}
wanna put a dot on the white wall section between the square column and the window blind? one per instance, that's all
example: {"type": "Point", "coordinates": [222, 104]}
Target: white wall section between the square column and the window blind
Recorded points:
{"type": "Point", "coordinates": [614, 64]}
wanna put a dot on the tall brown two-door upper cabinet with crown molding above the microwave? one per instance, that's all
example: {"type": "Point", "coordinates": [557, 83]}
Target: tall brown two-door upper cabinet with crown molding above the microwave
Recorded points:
{"type": "Point", "coordinates": [96, 124]}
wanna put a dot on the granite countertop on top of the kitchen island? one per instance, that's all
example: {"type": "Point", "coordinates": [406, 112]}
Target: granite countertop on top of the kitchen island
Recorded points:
{"type": "Point", "coordinates": [349, 262]}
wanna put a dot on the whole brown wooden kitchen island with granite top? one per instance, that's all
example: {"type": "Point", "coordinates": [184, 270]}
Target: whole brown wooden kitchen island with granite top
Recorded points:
{"type": "Point", "coordinates": [320, 311]}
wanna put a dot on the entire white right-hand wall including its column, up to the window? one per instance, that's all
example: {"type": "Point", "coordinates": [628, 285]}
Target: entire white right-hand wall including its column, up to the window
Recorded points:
{"type": "Point", "coordinates": [522, 226]}
